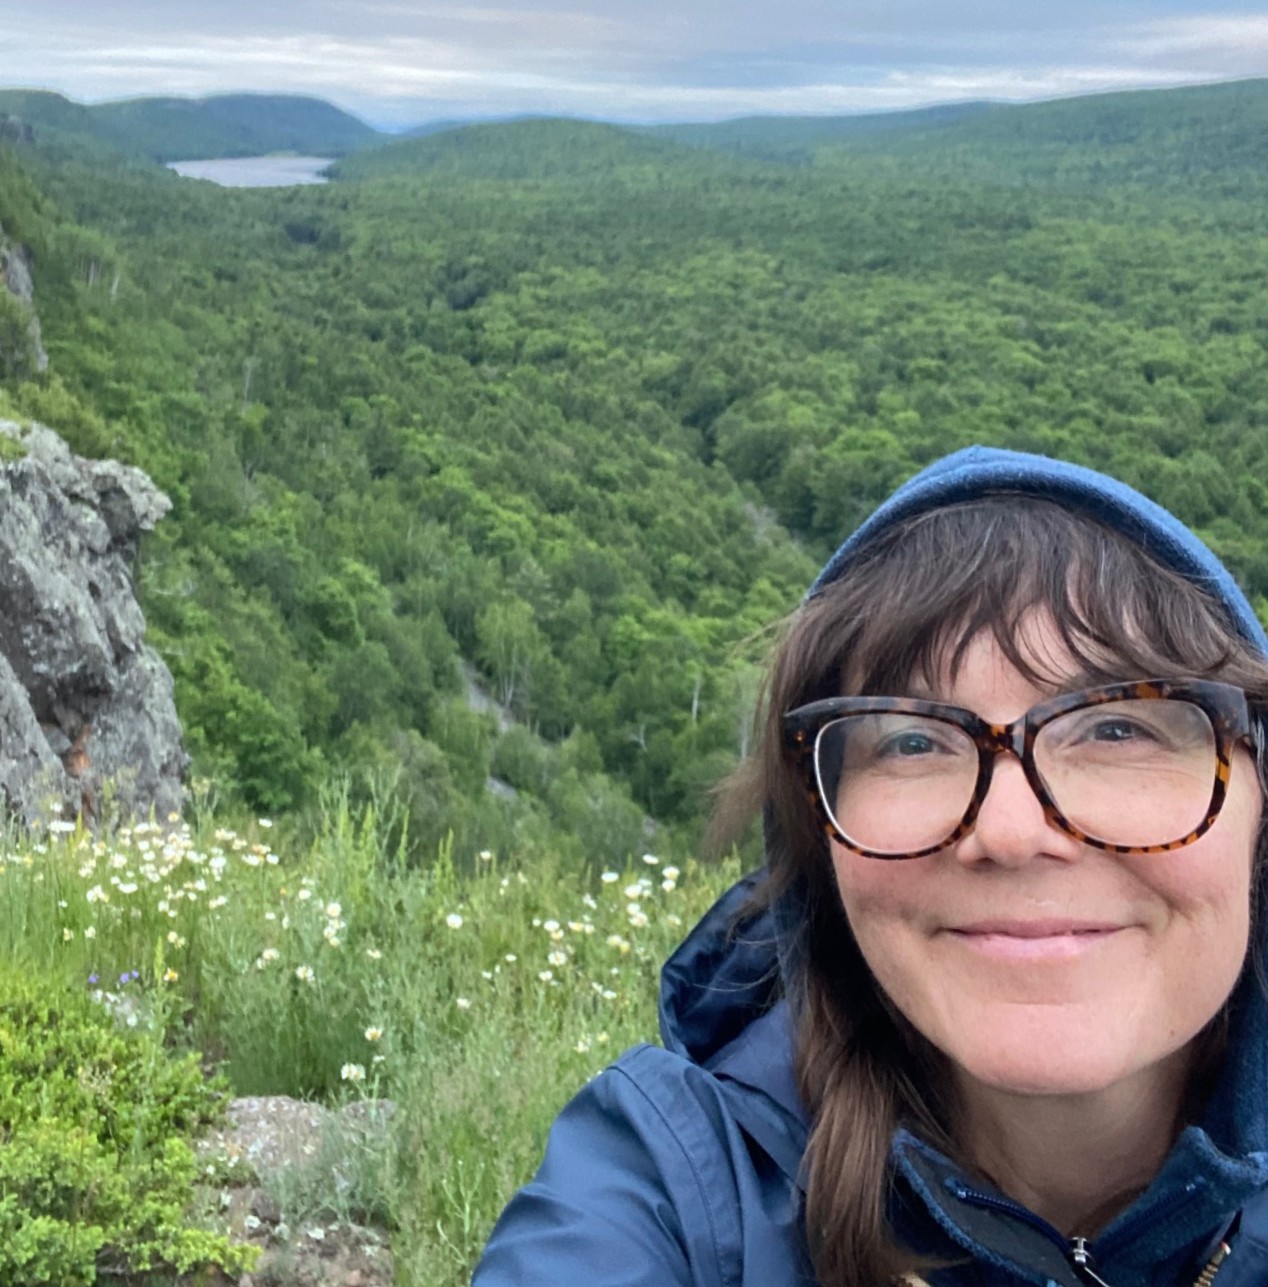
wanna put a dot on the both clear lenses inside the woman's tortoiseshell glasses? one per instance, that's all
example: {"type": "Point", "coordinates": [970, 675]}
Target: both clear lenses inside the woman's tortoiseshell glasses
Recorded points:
{"type": "Point", "coordinates": [1135, 773]}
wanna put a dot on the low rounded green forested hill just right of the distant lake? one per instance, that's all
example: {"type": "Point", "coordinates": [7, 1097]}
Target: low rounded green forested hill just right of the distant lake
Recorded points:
{"type": "Point", "coordinates": [530, 149]}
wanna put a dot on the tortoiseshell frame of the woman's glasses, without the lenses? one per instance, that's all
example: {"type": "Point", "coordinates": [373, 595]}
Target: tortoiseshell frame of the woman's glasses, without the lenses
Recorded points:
{"type": "Point", "coordinates": [1225, 706]}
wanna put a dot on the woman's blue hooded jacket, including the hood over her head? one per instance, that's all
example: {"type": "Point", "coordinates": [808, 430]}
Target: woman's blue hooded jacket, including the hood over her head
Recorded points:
{"type": "Point", "coordinates": [680, 1167]}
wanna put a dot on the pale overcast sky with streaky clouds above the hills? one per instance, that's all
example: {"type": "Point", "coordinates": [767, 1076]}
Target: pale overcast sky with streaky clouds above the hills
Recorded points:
{"type": "Point", "coordinates": [397, 64]}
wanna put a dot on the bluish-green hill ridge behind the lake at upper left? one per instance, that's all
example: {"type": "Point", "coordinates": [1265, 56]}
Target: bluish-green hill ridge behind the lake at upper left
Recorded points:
{"type": "Point", "coordinates": [186, 129]}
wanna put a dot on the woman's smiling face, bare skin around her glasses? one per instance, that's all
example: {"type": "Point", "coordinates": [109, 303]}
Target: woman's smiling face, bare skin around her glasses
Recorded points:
{"type": "Point", "coordinates": [1042, 966]}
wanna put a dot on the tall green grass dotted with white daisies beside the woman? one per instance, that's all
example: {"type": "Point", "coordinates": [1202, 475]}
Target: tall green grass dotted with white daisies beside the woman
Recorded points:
{"type": "Point", "coordinates": [477, 995]}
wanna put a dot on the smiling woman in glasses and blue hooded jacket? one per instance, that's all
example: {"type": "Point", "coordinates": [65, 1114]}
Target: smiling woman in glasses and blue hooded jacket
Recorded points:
{"type": "Point", "coordinates": [992, 1012]}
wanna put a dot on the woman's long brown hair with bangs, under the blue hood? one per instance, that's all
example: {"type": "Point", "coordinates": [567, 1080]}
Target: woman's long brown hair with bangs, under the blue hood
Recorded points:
{"type": "Point", "coordinates": [908, 608]}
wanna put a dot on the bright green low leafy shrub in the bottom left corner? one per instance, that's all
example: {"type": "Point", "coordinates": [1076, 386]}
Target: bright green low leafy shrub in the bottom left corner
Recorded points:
{"type": "Point", "coordinates": [98, 1167]}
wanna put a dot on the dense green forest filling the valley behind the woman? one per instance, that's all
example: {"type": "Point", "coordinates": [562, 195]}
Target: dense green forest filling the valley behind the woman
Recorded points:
{"type": "Point", "coordinates": [496, 460]}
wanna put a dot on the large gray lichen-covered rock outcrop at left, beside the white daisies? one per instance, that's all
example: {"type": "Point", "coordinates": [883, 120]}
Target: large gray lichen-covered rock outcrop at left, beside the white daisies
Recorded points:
{"type": "Point", "coordinates": [87, 714]}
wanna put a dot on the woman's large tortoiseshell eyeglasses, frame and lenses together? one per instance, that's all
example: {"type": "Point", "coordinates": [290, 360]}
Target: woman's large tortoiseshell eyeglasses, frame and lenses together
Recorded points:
{"type": "Point", "coordinates": [1137, 768]}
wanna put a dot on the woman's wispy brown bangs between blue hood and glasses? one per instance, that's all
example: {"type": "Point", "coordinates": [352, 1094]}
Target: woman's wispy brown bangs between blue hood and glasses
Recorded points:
{"type": "Point", "coordinates": [907, 612]}
